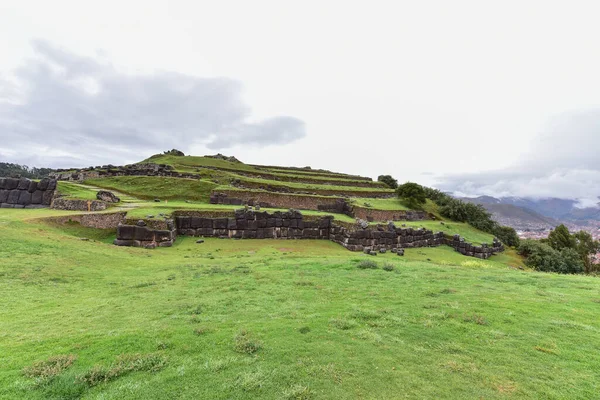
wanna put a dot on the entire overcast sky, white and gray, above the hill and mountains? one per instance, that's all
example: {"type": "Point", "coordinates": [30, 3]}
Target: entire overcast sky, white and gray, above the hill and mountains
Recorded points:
{"type": "Point", "coordinates": [479, 97]}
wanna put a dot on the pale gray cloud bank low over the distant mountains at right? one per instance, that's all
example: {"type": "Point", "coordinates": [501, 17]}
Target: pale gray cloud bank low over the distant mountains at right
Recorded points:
{"type": "Point", "coordinates": [562, 162]}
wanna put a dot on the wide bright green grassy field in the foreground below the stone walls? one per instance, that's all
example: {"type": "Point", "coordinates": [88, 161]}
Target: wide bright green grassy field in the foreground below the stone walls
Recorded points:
{"type": "Point", "coordinates": [282, 320]}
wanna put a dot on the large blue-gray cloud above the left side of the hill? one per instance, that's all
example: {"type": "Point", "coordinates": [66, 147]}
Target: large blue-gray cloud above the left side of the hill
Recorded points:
{"type": "Point", "coordinates": [60, 108]}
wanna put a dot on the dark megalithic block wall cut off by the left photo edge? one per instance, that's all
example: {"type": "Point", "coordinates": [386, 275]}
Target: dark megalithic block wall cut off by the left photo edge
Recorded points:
{"type": "Point", "coordinates": [25, 193]}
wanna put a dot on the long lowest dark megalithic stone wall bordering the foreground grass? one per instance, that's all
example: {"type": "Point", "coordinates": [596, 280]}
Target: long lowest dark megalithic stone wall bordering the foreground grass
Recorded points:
{"type": "Point", "coordinates": [291, 225]}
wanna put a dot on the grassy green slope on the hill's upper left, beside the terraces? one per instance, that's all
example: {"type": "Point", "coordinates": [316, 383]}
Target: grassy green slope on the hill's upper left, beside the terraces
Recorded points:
{"type": "Point", "coordinates": [149, 187]}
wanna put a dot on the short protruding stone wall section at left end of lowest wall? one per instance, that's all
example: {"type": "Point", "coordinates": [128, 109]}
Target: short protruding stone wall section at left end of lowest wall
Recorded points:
{"type": "Point", "coordinates": [141, 235]}
